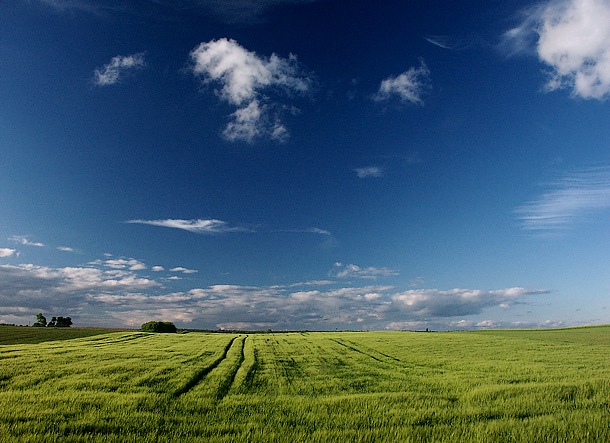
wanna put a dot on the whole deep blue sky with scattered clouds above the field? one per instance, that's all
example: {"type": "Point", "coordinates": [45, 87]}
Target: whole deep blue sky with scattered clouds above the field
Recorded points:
{"type": "Point", "coordinates": [293, 164]}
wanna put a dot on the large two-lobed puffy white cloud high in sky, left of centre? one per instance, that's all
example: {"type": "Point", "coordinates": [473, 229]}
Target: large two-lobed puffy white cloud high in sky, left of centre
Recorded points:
{"type": "Point", "coordinates": [242, 76]}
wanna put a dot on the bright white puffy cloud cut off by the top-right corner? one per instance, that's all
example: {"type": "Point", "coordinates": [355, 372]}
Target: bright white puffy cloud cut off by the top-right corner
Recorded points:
{"type": "Point", "coordinates": [572, 37]}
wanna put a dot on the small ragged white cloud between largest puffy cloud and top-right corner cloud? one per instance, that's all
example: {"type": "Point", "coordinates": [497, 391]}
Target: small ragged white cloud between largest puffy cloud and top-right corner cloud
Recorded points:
{"type": "Point", "coordinates": [408, 86]}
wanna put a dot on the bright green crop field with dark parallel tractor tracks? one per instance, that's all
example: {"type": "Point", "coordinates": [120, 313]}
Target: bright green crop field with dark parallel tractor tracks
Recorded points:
{"type": "Point", "coordinates": [500, 386]}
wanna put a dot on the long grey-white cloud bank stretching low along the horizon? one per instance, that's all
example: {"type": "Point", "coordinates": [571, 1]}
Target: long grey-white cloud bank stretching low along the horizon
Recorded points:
{"type": "Point", "coordinates": [99, 294]}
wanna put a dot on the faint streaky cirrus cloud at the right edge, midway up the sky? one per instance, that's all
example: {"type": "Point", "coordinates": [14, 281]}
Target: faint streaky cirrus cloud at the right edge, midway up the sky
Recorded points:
{"type": "Point", "coordinates": [574, 198]}
